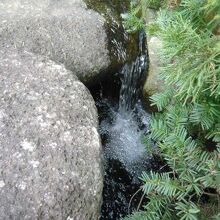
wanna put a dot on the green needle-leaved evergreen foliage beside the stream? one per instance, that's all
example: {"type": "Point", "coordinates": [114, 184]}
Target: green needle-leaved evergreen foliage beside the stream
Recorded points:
{"type": "Point", "coordinates": [187, 125]}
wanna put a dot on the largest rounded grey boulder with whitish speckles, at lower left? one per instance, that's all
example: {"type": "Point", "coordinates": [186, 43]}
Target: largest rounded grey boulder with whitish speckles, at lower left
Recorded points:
{"type": "Point", "coordinates": [50, 163]}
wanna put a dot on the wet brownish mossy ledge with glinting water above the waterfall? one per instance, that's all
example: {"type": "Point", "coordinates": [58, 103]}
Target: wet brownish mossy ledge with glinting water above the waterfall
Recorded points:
{"type": "Point", "coordinates": [121, 45]}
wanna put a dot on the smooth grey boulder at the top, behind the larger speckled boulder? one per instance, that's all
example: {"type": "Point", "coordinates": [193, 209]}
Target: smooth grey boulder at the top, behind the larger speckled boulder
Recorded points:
{"type": "Point", "coordinates": [65, 31]}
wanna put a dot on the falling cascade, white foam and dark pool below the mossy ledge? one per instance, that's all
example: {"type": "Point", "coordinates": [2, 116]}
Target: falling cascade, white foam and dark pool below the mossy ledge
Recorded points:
{"type": "Point", "coordinates": [123, 123]}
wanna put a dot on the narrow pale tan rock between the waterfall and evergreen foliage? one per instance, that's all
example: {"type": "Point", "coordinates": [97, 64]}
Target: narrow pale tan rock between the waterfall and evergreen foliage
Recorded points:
{"type": "Point", "coordinates": [153, 82]}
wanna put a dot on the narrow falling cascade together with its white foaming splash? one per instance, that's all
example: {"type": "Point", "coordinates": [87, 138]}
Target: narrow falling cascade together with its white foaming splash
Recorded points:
{"type": "Point", "coordinates": [124, 133]}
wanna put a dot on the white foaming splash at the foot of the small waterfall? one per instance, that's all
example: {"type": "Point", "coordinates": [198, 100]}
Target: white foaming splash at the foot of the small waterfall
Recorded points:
{"type": "Point", "coordinates": [125, 140]}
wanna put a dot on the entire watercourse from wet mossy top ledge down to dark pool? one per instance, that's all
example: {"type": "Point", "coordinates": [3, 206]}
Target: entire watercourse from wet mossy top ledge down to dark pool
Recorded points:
{"type": "Point", "coordinates": [123, 120]}
